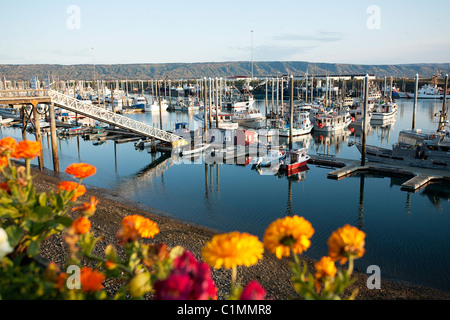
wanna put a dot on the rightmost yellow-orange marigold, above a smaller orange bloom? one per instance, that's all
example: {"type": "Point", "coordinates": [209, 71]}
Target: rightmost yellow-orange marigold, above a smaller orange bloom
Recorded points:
{"type": "Point", "coordinates": [345, 242]}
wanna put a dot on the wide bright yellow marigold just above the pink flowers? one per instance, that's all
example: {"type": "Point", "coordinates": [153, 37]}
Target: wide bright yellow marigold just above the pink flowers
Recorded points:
{"type": "Point", "coordinates": [232, 249]}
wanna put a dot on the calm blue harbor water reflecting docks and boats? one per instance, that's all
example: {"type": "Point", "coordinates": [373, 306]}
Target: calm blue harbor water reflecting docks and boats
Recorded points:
{"type": "Point", "coordinates": [407, 233]}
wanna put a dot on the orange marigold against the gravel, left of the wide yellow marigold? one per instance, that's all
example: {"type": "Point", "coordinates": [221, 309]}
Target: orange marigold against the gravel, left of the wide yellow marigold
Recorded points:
{"type": "Point", "coordinates": [136, 226]}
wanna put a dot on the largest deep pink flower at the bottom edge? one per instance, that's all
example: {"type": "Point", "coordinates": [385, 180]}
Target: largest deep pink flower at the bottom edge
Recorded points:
{"type": "Point", "coordinates": [188, 280]}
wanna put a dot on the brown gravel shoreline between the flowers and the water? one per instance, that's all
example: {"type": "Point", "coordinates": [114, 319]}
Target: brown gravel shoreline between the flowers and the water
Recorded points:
{"type": "Point", "coordinates": [271, 273]}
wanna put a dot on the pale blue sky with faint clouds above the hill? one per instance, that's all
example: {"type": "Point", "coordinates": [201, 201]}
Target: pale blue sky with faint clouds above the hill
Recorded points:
{"type": "Point", "coordinates": [164, 31]}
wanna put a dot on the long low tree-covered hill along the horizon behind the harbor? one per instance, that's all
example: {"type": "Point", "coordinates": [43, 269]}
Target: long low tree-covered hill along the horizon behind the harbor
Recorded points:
{"type": "Point", "coordinates": [214, 69]}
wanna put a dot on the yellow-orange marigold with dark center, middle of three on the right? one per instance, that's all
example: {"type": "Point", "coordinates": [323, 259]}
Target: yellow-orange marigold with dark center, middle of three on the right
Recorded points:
{"type": "Point", "coordinates": [286, 234]}
